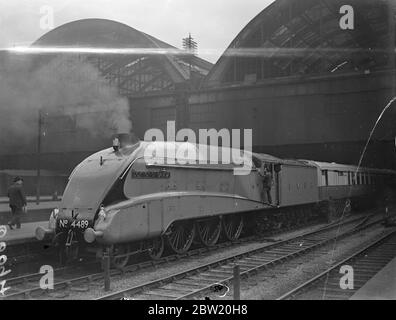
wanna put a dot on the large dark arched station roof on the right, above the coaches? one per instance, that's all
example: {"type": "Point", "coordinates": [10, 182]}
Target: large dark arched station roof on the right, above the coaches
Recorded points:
{"type": "Point", "coordinates": [304, 37]}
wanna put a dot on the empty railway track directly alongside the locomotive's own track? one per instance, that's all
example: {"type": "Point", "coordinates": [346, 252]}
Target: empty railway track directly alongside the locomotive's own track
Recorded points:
{"type": "Point", "coordinates": [195, 282]}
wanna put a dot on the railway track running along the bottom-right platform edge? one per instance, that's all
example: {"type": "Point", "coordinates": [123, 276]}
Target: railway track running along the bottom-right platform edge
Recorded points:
{"type": "Point", "coordinates": [366, 262]}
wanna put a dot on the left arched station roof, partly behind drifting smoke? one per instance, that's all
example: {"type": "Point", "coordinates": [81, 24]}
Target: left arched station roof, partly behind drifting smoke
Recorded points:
{"type": "Point", "coordinates": [133, 73]}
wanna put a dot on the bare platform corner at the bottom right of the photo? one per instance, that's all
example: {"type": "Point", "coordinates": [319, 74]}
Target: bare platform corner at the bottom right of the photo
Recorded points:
{"type": "Point", "coordinates": [380, 287]}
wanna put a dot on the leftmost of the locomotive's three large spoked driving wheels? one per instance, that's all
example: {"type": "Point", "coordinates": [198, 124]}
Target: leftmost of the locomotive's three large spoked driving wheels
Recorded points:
{"type": "Point", "coordinates": [180, 236]}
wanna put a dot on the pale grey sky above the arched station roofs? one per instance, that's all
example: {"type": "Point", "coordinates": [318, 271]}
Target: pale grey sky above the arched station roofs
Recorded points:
{"type": "Point", "coordinates": [213, 23]}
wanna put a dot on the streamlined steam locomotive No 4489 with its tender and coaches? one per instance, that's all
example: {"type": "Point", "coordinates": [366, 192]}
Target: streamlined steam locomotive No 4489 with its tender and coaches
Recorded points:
{"type": "Point", "coordinates": [130, 198]}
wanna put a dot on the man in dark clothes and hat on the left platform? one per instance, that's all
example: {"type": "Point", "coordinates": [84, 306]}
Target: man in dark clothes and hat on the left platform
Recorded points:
{"type": "Point", "coordinates": [17, 202]}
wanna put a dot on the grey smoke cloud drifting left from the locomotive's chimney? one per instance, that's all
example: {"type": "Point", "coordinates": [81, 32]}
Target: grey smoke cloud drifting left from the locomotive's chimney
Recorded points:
{"type": "Point", "coordinates": [65, 86]}
